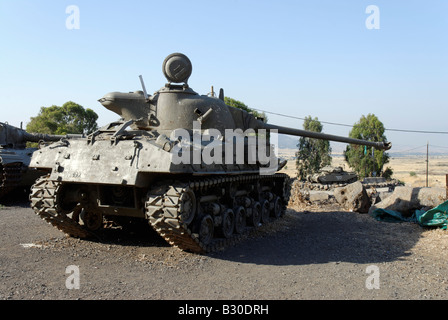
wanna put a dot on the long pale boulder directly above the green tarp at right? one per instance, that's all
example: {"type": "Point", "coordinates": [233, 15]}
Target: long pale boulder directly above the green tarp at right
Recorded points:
{"type": "Point", "coordinates": [407, 199]}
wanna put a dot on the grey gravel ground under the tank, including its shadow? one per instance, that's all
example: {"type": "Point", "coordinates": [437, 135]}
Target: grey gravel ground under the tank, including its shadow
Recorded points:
{"type": "Point", "coordinates": [311, 253]}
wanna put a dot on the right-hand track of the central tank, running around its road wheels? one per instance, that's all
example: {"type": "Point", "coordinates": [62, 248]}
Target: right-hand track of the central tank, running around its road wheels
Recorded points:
{"type": "Point", "coordinates": [164, 210]}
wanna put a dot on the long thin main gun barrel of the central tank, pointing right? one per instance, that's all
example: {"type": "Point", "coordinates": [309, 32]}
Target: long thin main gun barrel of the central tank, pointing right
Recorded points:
{"type": "Point", "coordinates": [324, 136]}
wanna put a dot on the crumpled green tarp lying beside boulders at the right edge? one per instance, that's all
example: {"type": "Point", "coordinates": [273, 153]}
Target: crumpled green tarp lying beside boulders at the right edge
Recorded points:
{"type": "Point", "coordinates": [435, 217]}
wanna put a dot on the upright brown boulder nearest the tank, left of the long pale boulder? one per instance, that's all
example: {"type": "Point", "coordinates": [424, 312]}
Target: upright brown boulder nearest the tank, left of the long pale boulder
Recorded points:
{"type": "Point", "coordinates": [353, 197]}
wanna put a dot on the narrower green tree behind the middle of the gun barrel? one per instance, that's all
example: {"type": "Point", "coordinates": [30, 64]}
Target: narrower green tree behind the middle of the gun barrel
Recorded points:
{"type": "Point", "coordinates": [313, 154]}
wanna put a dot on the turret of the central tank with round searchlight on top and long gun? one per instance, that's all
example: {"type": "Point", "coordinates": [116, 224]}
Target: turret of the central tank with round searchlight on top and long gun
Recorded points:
{"type": "Point", "coordinates": [178, 106]}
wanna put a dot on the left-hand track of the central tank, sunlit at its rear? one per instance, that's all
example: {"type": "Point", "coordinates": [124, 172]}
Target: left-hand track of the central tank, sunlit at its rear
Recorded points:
{"type": "Point", "coordinates": [44, 201]}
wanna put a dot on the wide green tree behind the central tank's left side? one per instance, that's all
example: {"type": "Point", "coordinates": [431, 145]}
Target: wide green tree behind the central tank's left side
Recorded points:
{"type": "Point", "coordinates": [71, 118]}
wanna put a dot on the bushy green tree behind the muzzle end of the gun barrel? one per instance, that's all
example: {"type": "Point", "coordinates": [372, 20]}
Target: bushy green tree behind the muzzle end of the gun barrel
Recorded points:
{"type": "Point", "coordinates": [359, 157]}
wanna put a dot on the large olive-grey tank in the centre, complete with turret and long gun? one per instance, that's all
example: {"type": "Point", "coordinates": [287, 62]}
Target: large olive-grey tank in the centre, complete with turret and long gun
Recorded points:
{"type": "Point", "coordinates": [200, 172]}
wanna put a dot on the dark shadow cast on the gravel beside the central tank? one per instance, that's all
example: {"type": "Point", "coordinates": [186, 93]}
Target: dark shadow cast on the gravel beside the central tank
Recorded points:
{"type": "Point", "coordinates": [303, 238]}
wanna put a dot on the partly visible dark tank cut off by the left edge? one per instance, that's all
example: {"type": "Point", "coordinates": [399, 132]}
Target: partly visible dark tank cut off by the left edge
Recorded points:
{"type": "Point", "coordinates": [15, 157]}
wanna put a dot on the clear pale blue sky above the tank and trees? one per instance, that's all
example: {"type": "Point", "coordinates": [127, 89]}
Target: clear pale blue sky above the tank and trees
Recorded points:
{"type": "Point", "coordinates": [334, 60]}
